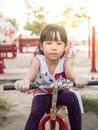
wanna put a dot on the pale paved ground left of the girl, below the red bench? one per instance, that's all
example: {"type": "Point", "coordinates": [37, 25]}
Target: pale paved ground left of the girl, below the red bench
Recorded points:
{"type": "Point", "coordinates": [17, 67]}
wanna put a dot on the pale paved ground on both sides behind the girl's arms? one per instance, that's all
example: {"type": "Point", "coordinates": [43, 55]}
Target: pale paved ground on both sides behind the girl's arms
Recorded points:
{"type": "Point", "coordinates": [17, 68]}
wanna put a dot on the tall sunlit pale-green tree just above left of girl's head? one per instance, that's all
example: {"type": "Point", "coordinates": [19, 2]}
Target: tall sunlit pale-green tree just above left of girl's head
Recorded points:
{"type": "Point", "coordinates": [36, 18]}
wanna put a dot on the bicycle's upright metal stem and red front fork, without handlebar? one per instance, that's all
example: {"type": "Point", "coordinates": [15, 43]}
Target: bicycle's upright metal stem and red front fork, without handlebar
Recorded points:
{"type": "Point", "coordinates": [52, 115]}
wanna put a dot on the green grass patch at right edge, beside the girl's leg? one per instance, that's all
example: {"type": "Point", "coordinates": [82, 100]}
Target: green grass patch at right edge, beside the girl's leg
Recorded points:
{"type": "Point", "coordinates": [90, 104]}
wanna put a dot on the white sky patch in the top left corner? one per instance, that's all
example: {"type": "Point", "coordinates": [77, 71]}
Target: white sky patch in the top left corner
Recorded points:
{"type": "Point", "coordinates": [13, 8]}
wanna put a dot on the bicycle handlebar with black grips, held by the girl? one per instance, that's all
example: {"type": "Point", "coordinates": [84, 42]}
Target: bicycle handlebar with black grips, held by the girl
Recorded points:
{"type": "Point", "coordinates": [45, 85]}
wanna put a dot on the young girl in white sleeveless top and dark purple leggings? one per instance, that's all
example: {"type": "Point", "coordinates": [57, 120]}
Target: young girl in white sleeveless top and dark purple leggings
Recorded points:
{"type": "Point", "coordinates": [48, 66]}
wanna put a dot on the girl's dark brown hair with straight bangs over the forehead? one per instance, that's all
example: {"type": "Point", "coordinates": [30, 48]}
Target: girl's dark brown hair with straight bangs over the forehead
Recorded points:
{"type": "Point", "coordinates": [50, 32]}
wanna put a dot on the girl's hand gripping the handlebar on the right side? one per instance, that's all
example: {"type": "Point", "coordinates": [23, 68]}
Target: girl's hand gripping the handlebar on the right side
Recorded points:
{"type": "Point", "coordinates": [81, 81]}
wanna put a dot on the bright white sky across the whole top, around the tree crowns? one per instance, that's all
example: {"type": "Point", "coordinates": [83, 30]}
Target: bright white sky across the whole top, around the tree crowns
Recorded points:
{"type": "Point", "coordinates": [16, 8]}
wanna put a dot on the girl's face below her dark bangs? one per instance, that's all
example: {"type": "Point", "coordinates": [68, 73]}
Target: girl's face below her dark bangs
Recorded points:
{"type": "Point", "coordinates": [53, 50]}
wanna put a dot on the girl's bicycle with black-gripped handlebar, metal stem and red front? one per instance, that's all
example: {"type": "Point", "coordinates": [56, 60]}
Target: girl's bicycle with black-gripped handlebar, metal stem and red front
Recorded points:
{"type": "Point", "coordinates": [52, 116]}
